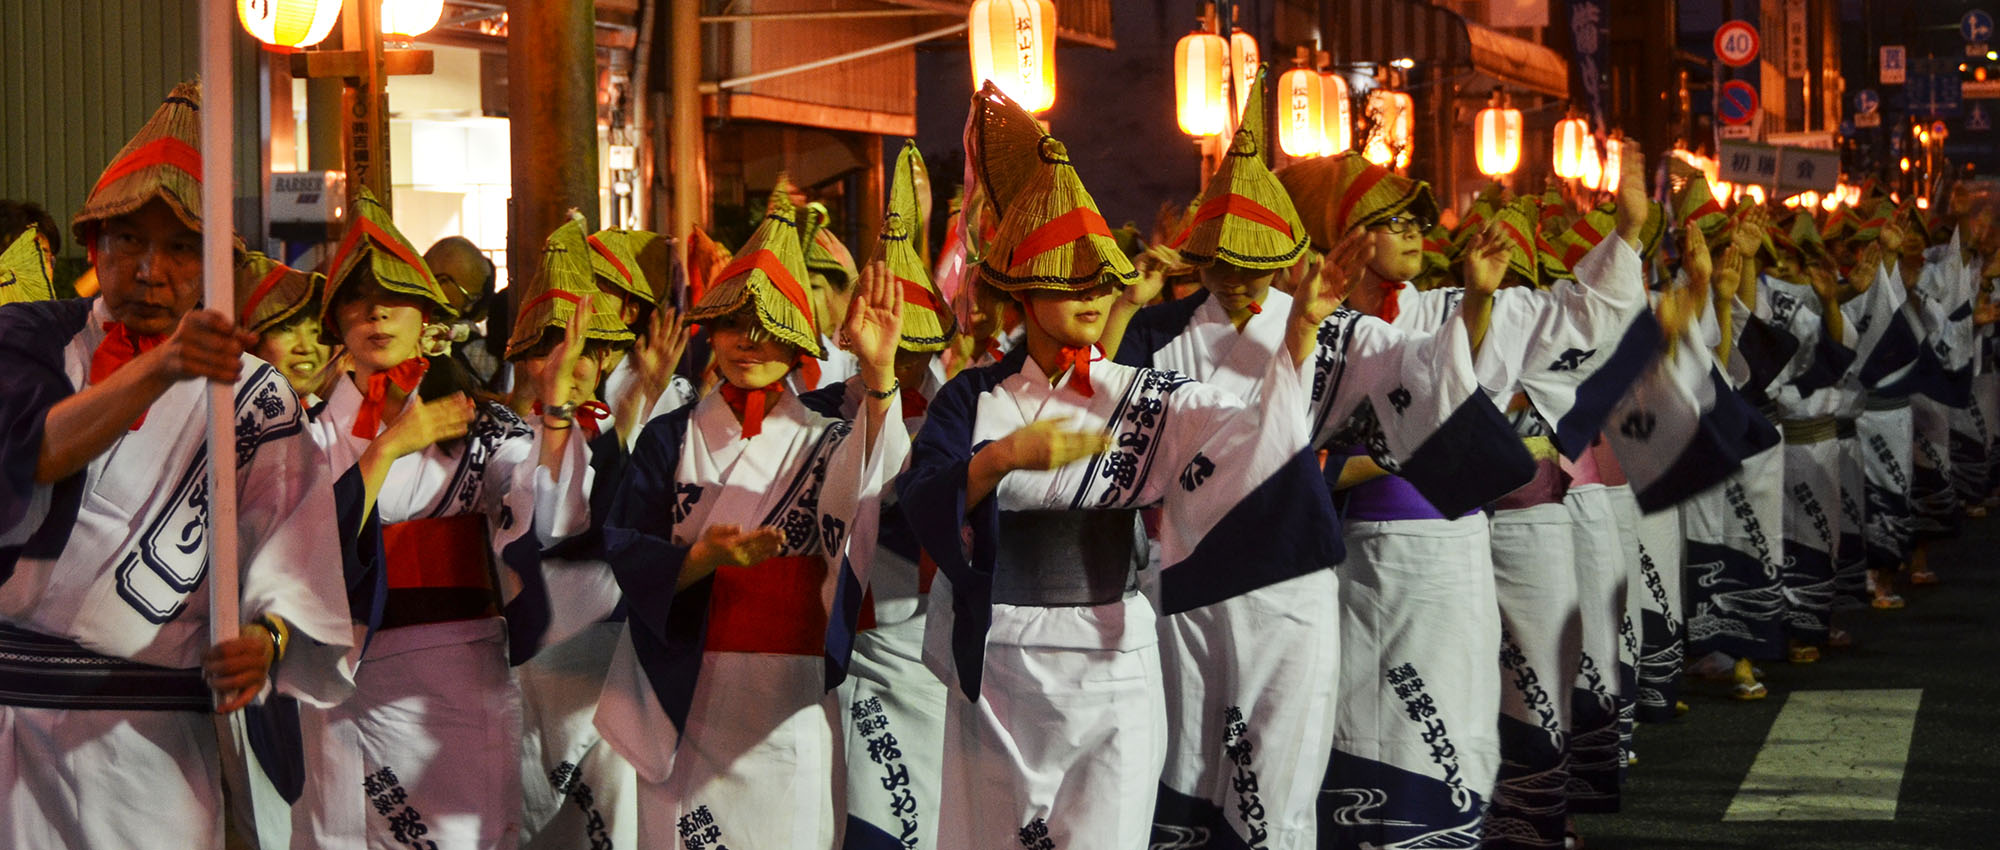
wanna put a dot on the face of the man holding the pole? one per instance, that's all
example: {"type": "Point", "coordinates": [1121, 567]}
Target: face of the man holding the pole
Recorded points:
{"type": "Point", "coordinates": [149, 269]}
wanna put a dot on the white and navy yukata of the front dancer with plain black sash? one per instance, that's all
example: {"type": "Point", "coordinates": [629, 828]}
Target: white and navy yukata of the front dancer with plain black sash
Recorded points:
{"type": "Point", "coordinates": [1057, 729]}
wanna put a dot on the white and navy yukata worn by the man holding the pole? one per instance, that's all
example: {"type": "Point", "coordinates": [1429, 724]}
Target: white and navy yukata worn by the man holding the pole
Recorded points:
{"type": "Point", "coordinates": [109, 569]}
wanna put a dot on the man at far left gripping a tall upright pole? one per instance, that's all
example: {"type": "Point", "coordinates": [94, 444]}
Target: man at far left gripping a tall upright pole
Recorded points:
{"type": "Point", "coordinates": [107, 667]}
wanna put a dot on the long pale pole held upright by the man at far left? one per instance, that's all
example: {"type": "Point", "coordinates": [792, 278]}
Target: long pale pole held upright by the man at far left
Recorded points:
{"type": "Point", "coordinates": [219, 293]}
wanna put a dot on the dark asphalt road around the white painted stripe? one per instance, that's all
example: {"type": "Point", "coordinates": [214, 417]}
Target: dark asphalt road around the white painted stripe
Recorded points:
{"type": "Point", "coordinates": [1947, 645]}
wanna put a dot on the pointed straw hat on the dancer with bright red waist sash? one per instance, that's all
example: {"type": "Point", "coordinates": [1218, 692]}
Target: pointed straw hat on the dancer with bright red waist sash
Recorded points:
{"type": "Point", "coordinates": [769, 275]}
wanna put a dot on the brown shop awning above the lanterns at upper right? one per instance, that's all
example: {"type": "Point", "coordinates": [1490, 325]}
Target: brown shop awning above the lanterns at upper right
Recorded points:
{"type": "Point", "coordinates": [1389, 31]}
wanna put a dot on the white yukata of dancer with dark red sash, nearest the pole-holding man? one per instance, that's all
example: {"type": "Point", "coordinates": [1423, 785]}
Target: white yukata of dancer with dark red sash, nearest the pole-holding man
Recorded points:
{"type": "Point", "coordinates": [429, 747]}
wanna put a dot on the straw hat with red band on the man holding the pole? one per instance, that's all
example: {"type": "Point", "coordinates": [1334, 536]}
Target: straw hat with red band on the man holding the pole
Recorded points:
{"type": "Point", "coordinates": [163, 161]}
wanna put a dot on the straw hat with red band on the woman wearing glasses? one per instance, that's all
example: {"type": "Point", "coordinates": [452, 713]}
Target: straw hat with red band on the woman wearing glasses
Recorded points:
{"type": "Point", "coordinates": [1335, 195]}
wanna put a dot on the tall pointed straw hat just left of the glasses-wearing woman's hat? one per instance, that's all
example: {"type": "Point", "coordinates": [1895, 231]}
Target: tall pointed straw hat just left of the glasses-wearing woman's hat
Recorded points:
{"type": "Point", "coordinates": [1245, 219]}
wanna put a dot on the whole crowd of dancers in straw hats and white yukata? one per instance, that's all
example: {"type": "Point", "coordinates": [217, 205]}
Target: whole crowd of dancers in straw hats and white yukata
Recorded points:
{"type": "Point", "coordinates": [1303, 521]}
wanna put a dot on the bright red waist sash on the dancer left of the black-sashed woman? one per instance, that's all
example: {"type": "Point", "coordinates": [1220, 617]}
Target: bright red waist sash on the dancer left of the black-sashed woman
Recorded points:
{"type": "Point", "coordinates": [773, 607]}
